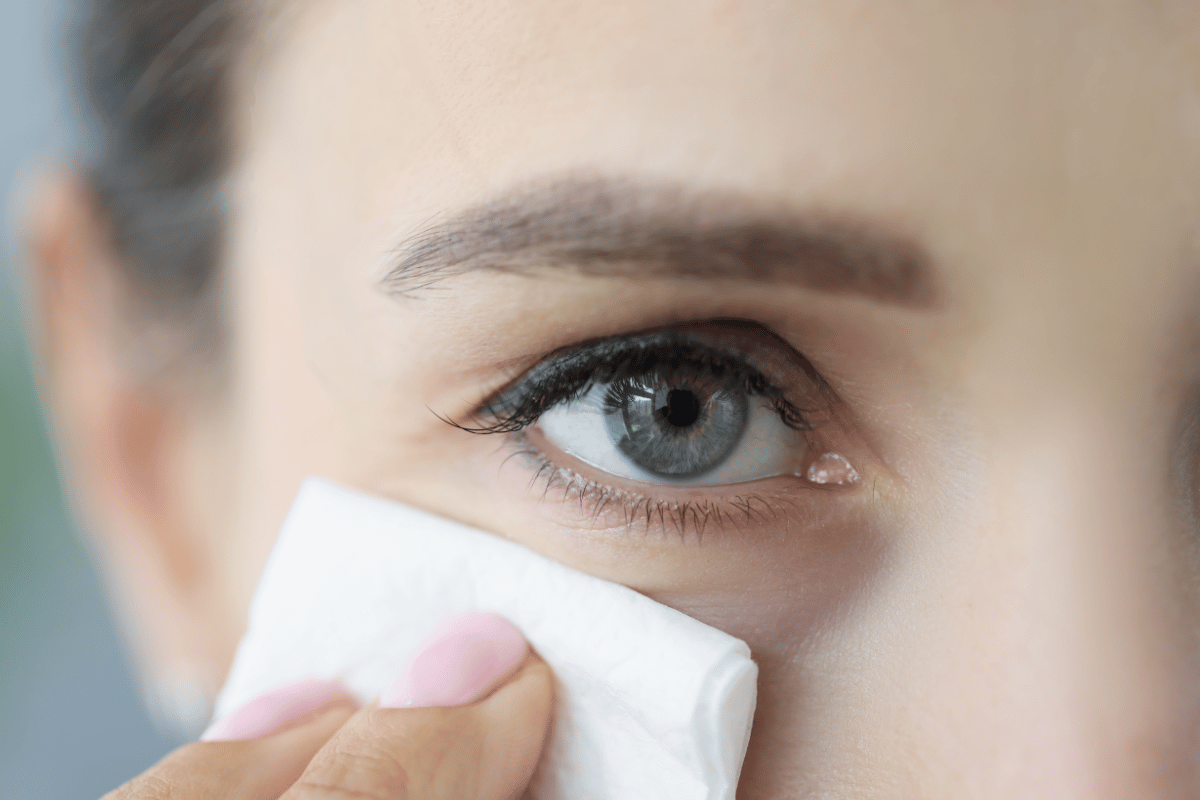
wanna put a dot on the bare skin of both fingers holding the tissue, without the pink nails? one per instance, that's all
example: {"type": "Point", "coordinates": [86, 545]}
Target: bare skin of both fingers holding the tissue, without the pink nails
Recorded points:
{"type": "Point", "coordinates": [487, 750]}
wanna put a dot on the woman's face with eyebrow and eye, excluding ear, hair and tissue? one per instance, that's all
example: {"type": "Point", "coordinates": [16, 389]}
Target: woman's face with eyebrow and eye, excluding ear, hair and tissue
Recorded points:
{"type": "Point", "coordinates": [958, 242]}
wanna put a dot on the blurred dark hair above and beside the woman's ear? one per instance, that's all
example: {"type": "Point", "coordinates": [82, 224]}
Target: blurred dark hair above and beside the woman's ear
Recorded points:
{"type": "Point", "coordinates": [159, 75]}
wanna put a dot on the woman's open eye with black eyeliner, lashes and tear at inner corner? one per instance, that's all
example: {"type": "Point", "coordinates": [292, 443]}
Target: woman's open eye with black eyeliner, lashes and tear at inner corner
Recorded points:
{"type": "Point", "coordinates": [646, 418]}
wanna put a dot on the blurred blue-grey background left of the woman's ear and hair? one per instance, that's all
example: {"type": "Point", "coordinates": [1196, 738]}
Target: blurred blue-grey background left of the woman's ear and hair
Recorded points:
{"type": "Point", "coordinates": [71, 724]}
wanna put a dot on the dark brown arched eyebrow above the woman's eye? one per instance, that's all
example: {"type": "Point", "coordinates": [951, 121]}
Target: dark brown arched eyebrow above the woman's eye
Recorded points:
{"type": "Point", "coordinates": [607, 228]}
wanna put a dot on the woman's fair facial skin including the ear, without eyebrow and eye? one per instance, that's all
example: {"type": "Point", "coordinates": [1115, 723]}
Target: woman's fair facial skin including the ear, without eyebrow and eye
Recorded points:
{"type": "Point", "coordinates": [1004, 606]}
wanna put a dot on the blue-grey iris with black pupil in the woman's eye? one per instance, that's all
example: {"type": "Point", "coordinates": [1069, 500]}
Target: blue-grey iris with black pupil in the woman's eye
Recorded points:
{"type": "Point", "coordinates": [679, 430]}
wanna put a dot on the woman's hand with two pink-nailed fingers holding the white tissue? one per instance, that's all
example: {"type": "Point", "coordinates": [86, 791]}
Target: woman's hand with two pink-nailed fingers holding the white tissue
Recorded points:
{"type": "Point", "coordinates": [491, 700]}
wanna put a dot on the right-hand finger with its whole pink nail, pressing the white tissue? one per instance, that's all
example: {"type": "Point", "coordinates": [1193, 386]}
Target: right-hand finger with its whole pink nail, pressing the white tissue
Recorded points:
{"type": "Point", "coordinates": [490, 702]}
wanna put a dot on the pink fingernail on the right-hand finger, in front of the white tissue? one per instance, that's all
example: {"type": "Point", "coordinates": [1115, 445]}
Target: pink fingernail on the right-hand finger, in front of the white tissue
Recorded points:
{"type": "Point", "coordinates": [460, 663]}
